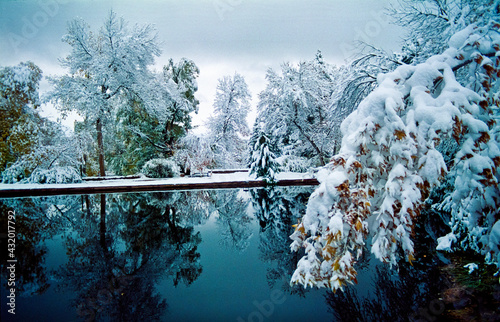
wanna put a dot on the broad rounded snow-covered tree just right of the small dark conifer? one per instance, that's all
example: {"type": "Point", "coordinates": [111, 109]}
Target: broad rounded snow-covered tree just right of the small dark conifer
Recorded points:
{"type": "Point", "coordinates": [294, 108]}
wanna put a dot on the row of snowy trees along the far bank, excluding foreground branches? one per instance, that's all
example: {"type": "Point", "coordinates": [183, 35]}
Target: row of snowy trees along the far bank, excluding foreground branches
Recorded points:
{"type": "Point", "coordinates": [132, 115]}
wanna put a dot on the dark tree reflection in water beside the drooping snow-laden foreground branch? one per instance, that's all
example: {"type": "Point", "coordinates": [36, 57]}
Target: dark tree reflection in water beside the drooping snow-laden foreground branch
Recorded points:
{"type": "Point", "coordinates": [277, 210]}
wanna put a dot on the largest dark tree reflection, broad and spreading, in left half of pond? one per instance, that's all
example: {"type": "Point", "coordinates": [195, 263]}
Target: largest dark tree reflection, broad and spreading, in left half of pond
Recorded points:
{"type": "Point", "coordinates": [116, 258]}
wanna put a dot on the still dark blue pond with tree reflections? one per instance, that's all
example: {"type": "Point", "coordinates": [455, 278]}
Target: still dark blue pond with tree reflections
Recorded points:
{"type": "Point", "coordinates": [205, 255]}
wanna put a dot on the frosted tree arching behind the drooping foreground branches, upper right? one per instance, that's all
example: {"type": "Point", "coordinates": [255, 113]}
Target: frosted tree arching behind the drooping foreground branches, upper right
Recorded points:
{"type": "Point", "coordinates": [430, 24]}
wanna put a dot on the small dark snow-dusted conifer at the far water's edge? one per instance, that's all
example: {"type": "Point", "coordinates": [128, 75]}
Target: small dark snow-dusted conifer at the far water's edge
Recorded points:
{"type": "Point", "coordinates": [264, 164]}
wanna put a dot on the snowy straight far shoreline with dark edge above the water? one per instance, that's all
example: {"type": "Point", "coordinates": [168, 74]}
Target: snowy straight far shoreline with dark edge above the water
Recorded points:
{"type": "Point", "coordinates": [216, 181]}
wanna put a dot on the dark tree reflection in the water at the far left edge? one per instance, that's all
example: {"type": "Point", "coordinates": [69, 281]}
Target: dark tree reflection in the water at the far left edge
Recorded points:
{"type": "Point", "coordinates": [36, 219]}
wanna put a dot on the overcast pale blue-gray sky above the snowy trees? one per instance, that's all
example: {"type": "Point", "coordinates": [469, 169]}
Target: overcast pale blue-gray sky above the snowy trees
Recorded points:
{"type": "Point", "coordinates": [220, 36]}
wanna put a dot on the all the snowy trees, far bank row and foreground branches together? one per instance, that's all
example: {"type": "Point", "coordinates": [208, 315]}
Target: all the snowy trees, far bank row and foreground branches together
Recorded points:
{"type": "Point", "coordinates": [391, 134]}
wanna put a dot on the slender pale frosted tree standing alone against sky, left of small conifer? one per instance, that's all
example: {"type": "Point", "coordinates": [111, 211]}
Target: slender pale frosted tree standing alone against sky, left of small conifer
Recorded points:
{"type": "Point", "coordinates": [228, 127]}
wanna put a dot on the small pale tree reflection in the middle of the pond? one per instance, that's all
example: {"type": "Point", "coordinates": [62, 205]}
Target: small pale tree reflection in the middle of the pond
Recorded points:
{"type": "Point", "coordinates": [233, 220]}
